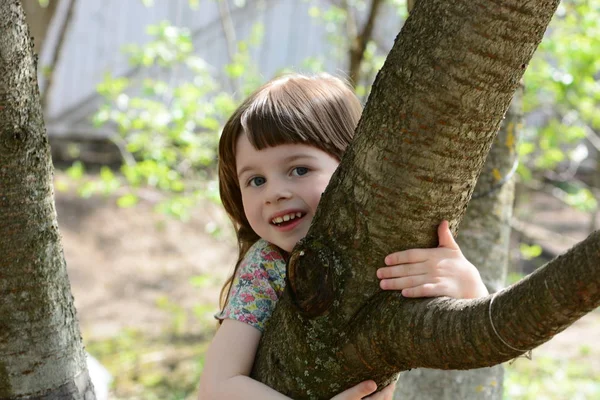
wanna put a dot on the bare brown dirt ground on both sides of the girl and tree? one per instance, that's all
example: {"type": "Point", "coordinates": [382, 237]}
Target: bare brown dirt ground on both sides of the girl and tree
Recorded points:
{"type": "Point", "coordinates": [121, 261]}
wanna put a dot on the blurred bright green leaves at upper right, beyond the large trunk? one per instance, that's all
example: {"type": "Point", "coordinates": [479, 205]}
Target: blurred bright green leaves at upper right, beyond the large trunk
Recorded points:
{"type": "Point", "coordinates": [562, 98]}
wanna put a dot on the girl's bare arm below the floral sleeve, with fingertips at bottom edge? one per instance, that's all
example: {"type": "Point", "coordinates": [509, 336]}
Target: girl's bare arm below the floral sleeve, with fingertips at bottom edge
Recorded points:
{"type": "Point", "coordinates": [229, 361]}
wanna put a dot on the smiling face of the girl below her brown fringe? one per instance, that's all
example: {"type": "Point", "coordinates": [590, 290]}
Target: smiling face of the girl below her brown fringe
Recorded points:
{"type": "Point", "coordinates": [281, 188]}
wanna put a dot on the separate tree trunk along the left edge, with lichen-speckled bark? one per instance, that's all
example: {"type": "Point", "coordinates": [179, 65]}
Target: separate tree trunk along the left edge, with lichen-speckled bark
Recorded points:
{"type": "Point", "coordinates": [41, 354]}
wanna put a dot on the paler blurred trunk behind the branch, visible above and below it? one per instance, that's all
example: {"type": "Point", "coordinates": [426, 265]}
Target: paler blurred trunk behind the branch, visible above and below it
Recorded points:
{"type": "Point", "coordinates": [484, 239]}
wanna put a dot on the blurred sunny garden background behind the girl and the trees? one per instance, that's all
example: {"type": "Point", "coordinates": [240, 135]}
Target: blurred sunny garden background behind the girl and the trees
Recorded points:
{"type": "Point", "coordinates": [135, 94]}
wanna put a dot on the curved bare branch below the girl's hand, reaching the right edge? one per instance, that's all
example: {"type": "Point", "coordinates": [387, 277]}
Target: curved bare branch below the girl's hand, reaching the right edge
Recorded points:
{"type": "Point", "coordinates": [520, 320]}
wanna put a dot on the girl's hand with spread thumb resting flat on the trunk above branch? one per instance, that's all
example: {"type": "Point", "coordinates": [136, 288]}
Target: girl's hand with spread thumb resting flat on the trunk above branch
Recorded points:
{"type": "Point", "coordinates": [442, 271]}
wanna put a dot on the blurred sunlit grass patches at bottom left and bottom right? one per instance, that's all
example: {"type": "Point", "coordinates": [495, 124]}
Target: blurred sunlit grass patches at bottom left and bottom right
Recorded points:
{"type": "Point", "coordinates": [169, 366]}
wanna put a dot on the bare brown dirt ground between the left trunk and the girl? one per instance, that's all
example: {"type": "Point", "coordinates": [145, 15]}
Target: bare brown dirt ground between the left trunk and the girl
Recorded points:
{"type": "Point", "coordinates": [122, 261]}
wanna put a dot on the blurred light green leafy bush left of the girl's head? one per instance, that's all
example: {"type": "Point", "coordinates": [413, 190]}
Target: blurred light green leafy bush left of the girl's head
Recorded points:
{"type": "Point", "coordinates": [167, 122]}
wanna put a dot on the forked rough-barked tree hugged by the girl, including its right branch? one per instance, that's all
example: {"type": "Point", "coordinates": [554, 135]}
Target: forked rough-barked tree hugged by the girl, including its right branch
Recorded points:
{"type": "Point", "coordinates": [433, 113]}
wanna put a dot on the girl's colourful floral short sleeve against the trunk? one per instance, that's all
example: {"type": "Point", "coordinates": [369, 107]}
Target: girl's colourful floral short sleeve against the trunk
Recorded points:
{"type": "Point", "coordinates": [258, 284]}
